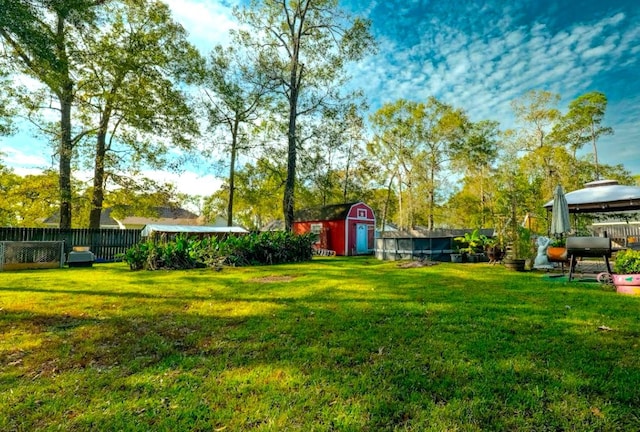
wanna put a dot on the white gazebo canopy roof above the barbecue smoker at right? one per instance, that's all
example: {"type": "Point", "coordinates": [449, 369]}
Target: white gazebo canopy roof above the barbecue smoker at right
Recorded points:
{"type": "Point", "coordinates": [602, 196]}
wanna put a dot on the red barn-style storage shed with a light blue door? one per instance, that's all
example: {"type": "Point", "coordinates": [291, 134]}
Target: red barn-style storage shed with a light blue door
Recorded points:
{"type": "Point", "coordinates": [348, 229]}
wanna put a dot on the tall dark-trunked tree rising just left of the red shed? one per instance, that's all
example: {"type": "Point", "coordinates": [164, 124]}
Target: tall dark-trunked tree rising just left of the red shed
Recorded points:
{"type": "Point", "coordinates": [306, 46]}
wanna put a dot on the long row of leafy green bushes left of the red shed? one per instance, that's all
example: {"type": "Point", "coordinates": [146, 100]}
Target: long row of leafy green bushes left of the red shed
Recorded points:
{"type": "Point", "coordinates": [252, 249]}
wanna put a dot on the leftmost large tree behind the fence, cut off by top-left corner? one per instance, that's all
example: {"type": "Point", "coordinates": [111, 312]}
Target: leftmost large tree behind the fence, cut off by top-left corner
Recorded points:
{"type": "Point", "coordinates": [42, 38]}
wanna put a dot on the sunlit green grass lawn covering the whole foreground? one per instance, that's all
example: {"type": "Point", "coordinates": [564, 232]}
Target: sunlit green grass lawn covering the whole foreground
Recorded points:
{"type": "Point", "coordinates": [334, 344]}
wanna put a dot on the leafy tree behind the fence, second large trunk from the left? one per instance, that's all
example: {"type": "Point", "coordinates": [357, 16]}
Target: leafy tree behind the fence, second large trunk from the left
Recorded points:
{"type": "Point", "coordinates": [129, 92]}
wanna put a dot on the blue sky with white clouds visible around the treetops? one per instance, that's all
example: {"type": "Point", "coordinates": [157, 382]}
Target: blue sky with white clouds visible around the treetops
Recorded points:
{"type": "Point", "coordinates": [477, 55]}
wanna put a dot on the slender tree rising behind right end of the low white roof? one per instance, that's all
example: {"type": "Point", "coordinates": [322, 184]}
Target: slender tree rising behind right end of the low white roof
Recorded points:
{"type": "Point", "coordinates": [235, 94]}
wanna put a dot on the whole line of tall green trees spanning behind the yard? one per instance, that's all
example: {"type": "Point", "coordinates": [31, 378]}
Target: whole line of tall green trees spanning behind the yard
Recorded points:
{"type": "Point", "coordinates": [122, 90]}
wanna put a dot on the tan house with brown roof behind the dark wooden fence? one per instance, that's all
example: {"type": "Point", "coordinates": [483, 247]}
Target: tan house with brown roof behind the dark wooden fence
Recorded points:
{"type": "Point", "coordinates": [162, 215]}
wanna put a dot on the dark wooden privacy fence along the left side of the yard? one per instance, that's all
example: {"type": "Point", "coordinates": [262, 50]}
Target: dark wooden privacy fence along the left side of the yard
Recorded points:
{"type": "Point", "coordinates": [104, 243]}
